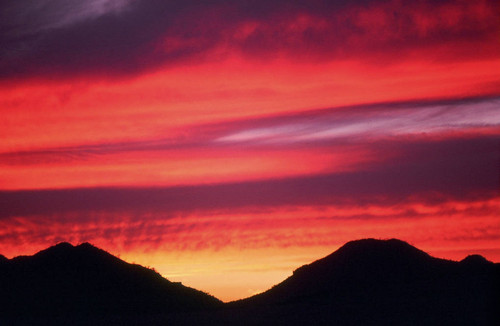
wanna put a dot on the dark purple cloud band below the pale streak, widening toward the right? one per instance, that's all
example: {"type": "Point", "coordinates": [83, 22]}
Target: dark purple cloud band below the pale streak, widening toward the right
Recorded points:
{"type": "Point", "coordinates": [435, 171]}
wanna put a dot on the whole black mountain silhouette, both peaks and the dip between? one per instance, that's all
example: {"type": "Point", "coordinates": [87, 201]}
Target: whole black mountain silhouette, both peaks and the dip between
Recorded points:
{"type": "Point", "coordinates": [375, 282]}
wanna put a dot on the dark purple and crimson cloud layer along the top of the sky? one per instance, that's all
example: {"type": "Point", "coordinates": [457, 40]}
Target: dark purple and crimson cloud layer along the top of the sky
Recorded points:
{"type": "Point", "coordinates": [110, 38]}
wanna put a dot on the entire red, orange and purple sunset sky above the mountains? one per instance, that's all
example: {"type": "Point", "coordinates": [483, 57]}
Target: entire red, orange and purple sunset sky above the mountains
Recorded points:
{"type": "Point", "coordinates": [227, 143]}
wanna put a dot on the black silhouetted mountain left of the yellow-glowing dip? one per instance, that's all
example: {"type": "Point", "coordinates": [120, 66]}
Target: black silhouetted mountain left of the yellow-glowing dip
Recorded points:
{"type": "Point", "coordinates": [87, 281]}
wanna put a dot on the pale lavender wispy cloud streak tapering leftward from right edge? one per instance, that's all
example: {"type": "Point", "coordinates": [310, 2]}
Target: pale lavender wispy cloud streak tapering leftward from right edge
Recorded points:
{"type": "Point", "coordinates": [366, 122]}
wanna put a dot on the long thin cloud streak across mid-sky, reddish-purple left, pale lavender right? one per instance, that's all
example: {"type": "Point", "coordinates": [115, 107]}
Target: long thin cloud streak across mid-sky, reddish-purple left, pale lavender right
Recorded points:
{"type": "Point", "coordinates": [360, 123]}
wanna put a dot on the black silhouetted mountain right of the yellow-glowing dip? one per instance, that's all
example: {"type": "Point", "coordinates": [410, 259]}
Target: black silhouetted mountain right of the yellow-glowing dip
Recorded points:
{"type": "Point", "coordinates": [380, 282]}
